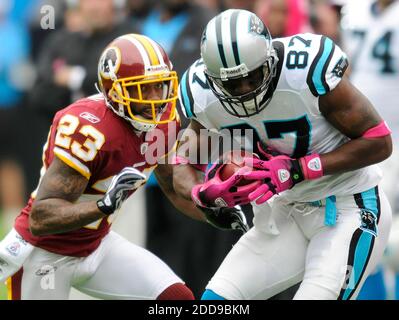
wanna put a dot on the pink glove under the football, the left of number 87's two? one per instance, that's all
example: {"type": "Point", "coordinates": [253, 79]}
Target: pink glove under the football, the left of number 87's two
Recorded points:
{"type": "Point", "coordinates": [217, 193]}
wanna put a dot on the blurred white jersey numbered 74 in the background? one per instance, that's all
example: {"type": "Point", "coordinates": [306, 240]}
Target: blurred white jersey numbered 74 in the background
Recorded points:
{"type": "Point", "coordinates": [372, 43]}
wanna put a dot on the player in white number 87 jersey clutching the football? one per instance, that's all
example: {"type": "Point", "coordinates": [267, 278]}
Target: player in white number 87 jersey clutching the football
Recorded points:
{"type": "Point", "coordinates": [320, 217]}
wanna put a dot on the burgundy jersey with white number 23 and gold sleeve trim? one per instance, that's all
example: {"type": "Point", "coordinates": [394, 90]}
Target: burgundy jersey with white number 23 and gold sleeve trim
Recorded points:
{"type": "Point", "coordinates": [92, 139]}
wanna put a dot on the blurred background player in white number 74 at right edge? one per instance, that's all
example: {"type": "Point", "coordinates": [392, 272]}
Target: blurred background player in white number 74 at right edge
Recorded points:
{"type": "Point", "coordinates": [371, 39]}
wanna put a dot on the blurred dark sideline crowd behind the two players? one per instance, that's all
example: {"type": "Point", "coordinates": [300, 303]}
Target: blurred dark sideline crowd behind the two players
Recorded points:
{"type": "Point", "coordinates": [48, 58]}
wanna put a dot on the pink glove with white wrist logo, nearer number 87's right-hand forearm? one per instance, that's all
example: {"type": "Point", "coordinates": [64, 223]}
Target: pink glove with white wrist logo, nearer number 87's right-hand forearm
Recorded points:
{"type": "Point", "coordinates": [280, 173]}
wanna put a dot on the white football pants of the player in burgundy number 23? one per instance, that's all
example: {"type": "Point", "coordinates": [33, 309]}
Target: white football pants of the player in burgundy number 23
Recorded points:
{"type": "Point", "coordinates": [118, 269]}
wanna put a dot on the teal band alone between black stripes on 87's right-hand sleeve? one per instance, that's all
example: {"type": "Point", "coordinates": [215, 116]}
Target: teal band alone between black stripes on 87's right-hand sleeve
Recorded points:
{"type": "Point", "coordinates": [318, 77]}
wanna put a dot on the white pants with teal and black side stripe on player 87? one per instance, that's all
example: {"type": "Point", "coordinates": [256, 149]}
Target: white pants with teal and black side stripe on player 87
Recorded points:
{"type": "Point", "coordinates": [290, 243]}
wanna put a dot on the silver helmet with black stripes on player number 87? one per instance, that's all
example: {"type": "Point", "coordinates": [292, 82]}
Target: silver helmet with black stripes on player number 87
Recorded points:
{"type": "Point", "coordinates": [237, 48]}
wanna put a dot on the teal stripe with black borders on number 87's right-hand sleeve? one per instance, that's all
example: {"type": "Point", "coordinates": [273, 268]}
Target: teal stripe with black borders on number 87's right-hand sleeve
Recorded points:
{"type": "Point", "coordinates": [317, 73]}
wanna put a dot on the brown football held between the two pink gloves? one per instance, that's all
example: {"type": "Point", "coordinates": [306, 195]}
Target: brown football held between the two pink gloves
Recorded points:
{"type": "Point", "coordinates": [234, 160]}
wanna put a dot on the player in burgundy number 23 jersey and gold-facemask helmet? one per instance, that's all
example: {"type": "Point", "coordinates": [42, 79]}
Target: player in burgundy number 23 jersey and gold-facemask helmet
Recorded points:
{"type": "Point", "coordinates": [99, 150]}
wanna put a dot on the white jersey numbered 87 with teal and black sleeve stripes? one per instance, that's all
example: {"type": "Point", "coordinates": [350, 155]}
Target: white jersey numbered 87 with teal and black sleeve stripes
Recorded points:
{"type": "Point", "coordinates": [309, 66]}
